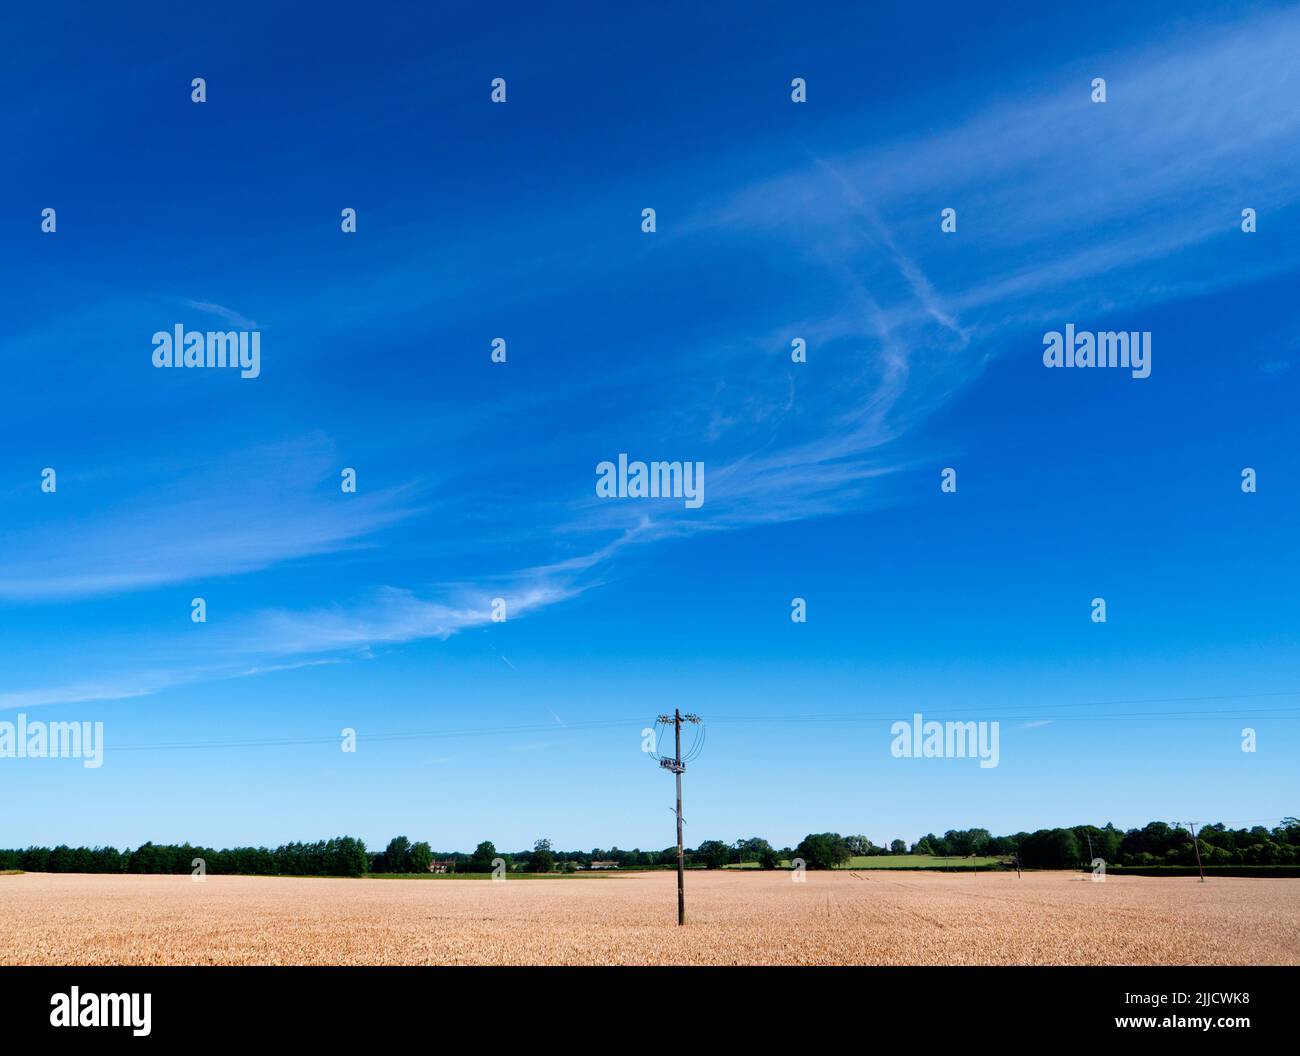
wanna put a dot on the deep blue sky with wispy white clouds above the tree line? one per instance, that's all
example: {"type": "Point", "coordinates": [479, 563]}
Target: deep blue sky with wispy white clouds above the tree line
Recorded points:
{"type": "Point", "coordinates": [476, 481]}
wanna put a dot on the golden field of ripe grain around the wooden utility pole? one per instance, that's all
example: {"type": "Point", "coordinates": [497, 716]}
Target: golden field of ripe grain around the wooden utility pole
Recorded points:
{"type": "Point", "coordinates": [734, 919]}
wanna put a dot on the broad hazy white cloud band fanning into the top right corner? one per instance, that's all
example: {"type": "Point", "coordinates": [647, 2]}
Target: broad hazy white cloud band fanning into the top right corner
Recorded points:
{"type": "Point", "coordinates": [1056, 189]}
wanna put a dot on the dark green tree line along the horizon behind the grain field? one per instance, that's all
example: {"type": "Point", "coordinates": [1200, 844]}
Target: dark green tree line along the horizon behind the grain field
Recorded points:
{"type": "Point", "coordinates": [1156, 843]}
